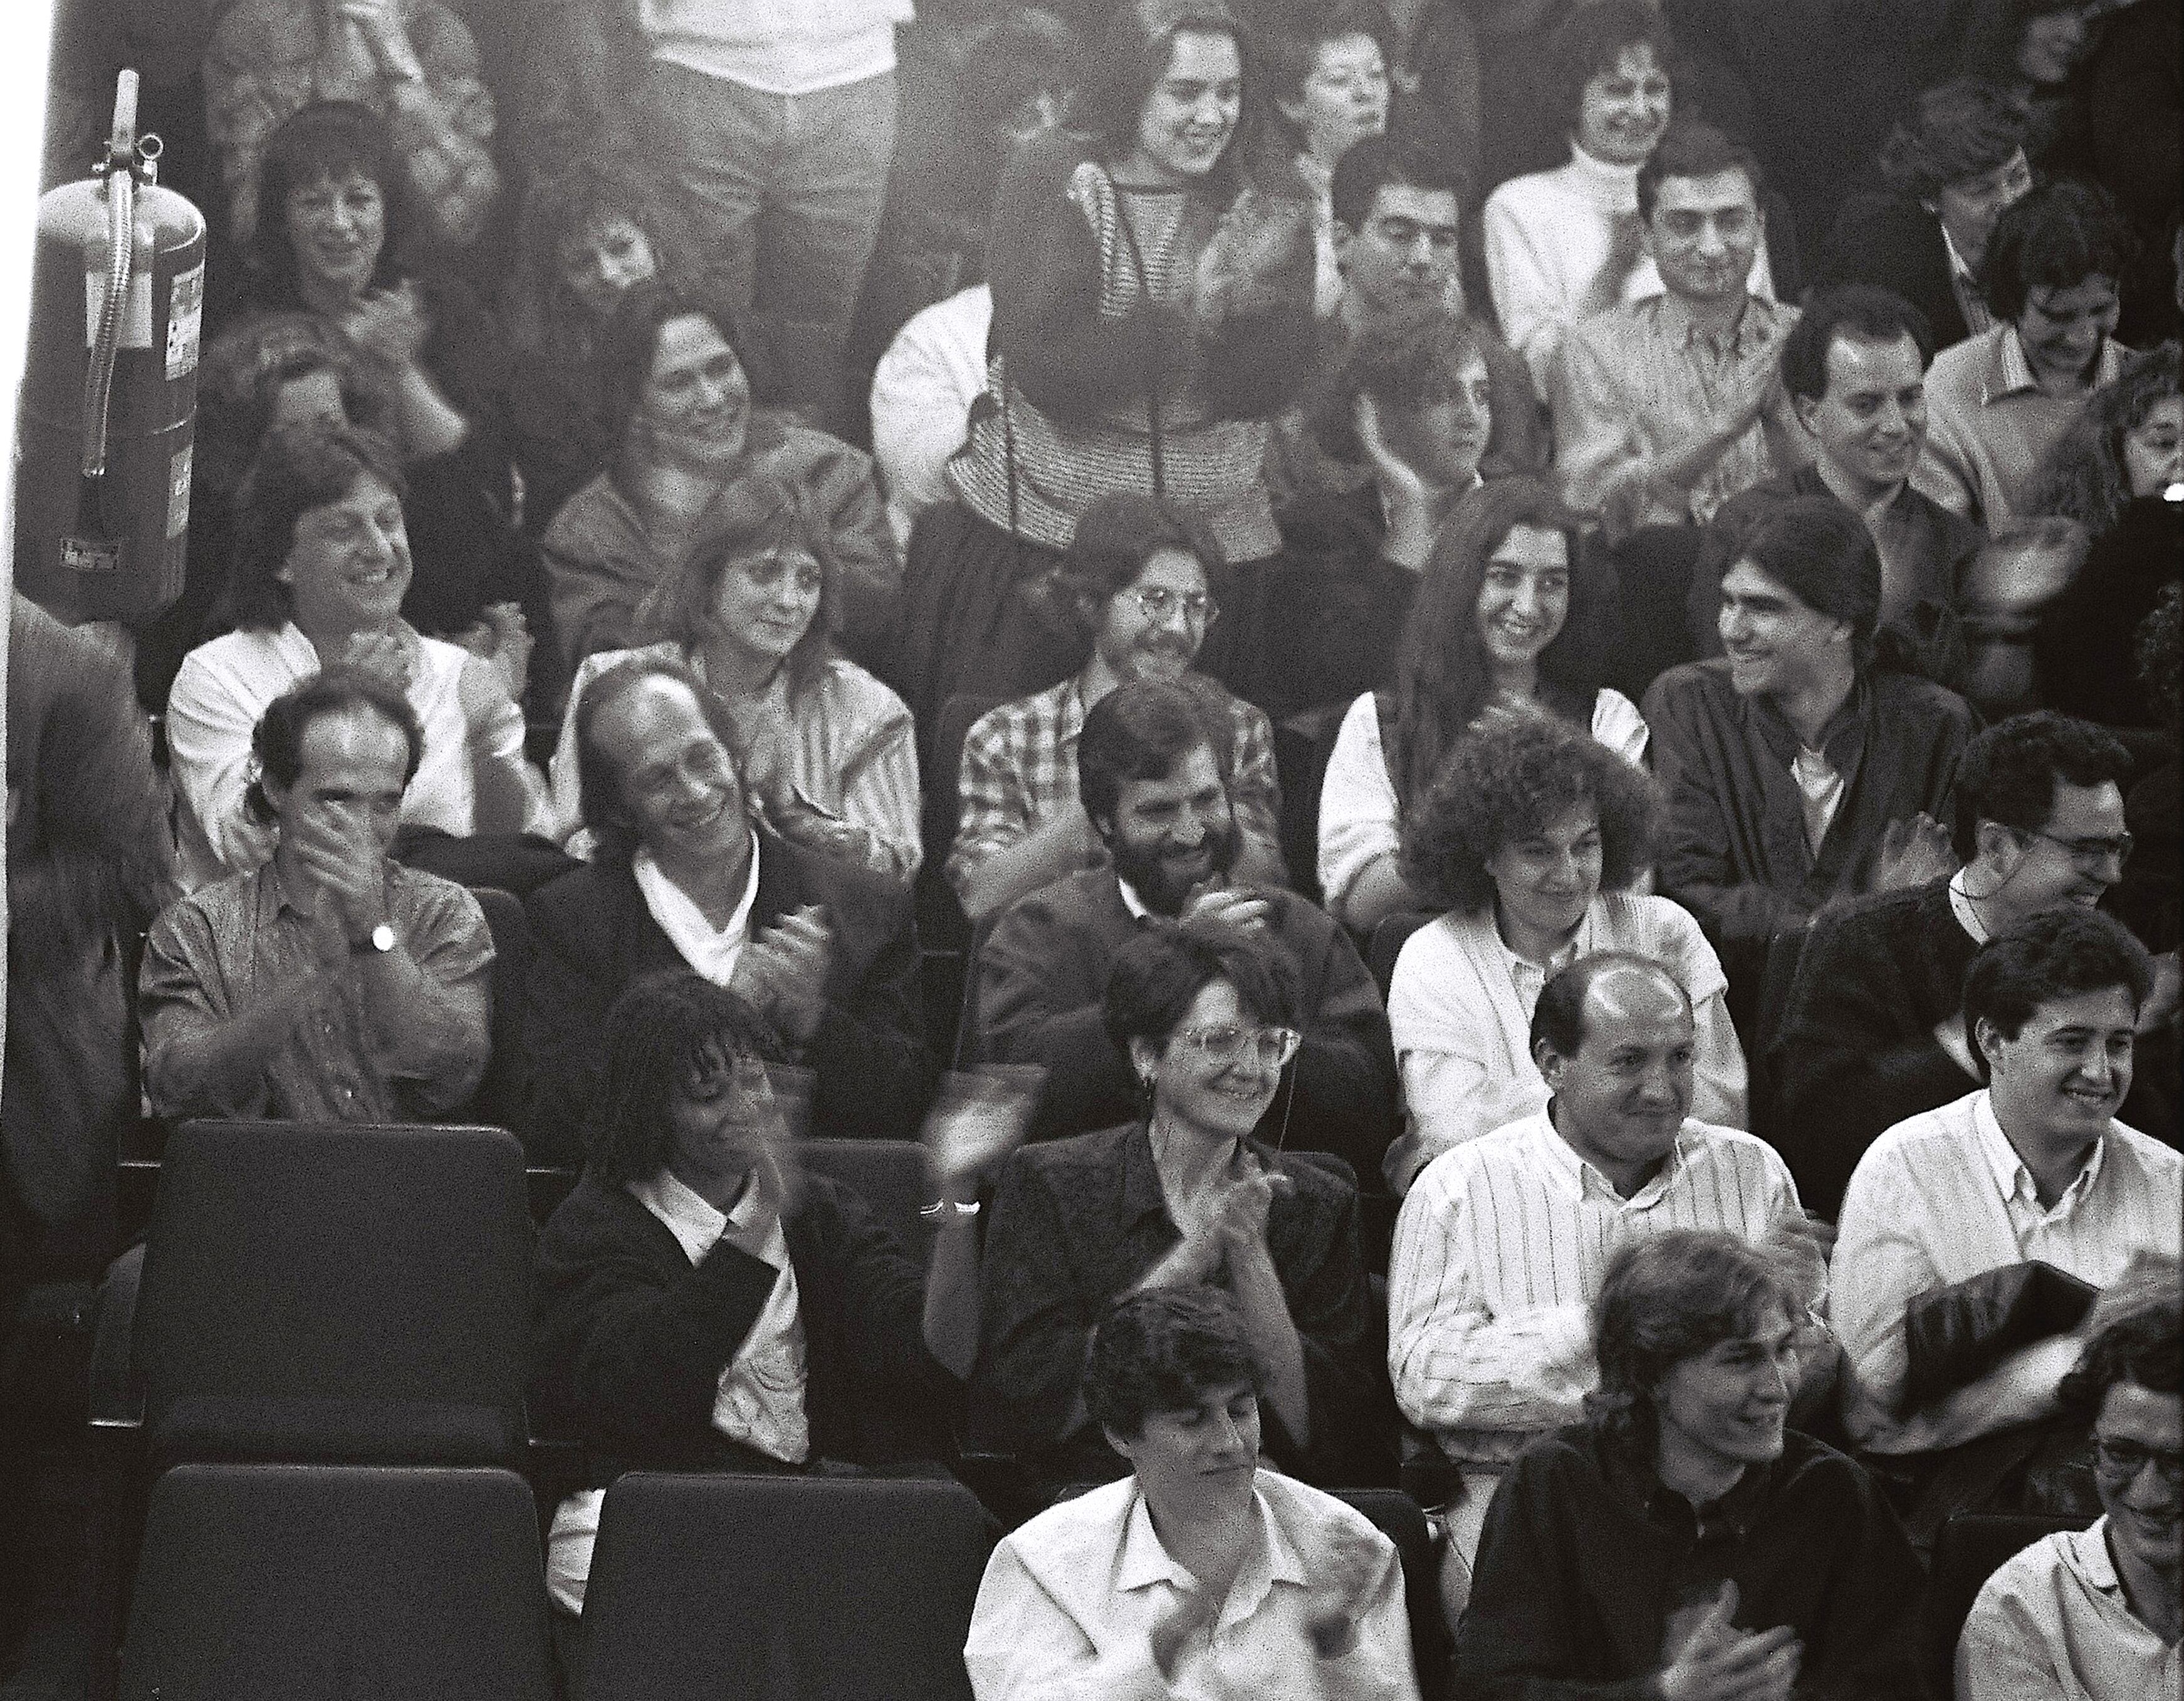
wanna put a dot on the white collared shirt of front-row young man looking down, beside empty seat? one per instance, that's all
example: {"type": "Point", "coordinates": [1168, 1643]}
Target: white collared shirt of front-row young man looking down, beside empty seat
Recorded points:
{"type": "Point", "coordinates": [1071, 1599]}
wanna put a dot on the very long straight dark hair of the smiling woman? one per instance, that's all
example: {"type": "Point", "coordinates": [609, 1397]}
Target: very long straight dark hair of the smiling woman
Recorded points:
{"type": "Point", "coordinates": [1443, 680]}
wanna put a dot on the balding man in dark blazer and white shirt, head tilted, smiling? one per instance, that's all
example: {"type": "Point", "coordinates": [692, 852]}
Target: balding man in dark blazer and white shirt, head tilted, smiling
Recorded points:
{"type": "Point", "coordinates": [689, 879]}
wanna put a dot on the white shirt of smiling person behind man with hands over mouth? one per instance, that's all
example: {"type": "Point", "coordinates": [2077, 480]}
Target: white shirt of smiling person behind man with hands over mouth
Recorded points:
{"type": "Point", "coordinates": [224, 691]}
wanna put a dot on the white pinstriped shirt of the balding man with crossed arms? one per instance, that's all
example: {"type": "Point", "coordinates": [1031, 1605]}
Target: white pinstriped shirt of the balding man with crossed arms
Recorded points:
{"type": "Point", "coordinates": [1501, 1250]}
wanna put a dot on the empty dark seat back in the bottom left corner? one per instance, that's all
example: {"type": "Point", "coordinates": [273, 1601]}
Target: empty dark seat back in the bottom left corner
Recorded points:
{"type": "Point", "coordinates": [335, 1582]}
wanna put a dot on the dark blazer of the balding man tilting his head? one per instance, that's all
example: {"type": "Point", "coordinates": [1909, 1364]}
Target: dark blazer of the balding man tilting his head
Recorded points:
{"type": "Point", "coordinates": [591, 938]}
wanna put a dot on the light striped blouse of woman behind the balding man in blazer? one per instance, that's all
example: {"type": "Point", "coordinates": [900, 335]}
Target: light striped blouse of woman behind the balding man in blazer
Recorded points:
{"type": "Point", "coordinates": [853, 754]}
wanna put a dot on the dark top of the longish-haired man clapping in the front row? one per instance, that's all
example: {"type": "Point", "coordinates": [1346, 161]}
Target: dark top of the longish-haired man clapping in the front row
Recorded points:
{"type": "Point", "coordinates": [1587, 1556]}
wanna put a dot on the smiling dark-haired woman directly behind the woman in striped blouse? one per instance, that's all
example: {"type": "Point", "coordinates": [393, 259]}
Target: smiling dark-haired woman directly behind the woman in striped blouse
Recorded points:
{"type": "Point", "coordinates": [680, 412]}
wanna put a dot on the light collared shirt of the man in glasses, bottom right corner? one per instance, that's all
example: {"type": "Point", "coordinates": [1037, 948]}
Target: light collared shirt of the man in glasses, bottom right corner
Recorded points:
{"type": "Point", "coordinates": [2054, 1626]}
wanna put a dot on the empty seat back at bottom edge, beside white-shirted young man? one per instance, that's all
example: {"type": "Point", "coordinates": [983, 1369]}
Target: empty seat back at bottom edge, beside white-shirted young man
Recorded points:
{"type": "Point", "coordinates": [783, 1586]}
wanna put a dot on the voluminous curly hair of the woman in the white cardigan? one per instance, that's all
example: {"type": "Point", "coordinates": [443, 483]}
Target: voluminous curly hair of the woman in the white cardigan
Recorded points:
{"type": "Point", "coordinates": [1508, 781]}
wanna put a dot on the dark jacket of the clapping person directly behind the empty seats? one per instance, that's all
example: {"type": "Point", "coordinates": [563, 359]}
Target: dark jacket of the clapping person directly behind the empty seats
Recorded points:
{"type": "Point", "coordinates": [630, 1337]}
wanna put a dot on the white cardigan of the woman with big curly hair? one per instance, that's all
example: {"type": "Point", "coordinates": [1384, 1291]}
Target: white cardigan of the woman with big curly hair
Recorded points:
{"type": "Point", "coordinates": [1462, 1003]}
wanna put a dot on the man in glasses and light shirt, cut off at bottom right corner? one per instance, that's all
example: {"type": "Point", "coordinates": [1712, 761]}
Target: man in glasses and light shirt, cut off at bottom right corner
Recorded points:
{"type": "Point", "coordinates": [2100, 1613]}
